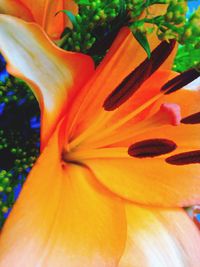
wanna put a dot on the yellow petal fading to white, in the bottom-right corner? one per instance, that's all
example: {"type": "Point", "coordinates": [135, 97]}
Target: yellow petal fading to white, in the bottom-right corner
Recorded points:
{"type": "Point", "coordinates": [160, 238]}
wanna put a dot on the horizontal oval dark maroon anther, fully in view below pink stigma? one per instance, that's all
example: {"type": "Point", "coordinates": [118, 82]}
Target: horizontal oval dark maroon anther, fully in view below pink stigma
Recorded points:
{"type": "Point", "coordinates": [151, 148]}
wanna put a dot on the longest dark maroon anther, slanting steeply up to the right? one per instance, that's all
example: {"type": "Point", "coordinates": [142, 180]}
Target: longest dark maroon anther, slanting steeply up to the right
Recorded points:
{"type": "Point", "coordinates": [138, 76]}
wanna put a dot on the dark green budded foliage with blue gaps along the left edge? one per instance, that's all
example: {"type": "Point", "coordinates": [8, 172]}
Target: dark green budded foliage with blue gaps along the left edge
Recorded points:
{"type": "Point", "coordinates": [18, 150]}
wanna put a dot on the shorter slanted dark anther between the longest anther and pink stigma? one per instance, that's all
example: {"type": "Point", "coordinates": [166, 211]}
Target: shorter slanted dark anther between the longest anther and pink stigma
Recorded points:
{"type": "Point", "coordinates": [181, 80]}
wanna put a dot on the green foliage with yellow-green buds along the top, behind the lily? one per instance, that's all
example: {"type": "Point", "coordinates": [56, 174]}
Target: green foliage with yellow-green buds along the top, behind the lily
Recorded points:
{"type": "Point", "coordinates": [98, 22]}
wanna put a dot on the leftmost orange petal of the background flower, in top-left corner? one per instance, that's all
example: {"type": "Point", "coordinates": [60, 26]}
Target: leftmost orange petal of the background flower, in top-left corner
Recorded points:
{"type": "Point", "coordinates": [15, 8]}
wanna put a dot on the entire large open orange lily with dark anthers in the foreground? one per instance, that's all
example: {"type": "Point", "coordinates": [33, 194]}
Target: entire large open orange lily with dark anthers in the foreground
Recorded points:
{"type": "Point", "coordinates": [117, 164]}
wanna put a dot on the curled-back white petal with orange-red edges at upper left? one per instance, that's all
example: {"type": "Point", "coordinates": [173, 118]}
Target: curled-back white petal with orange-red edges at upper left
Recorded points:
{"type": "Point", "coordinates": [51, 72]}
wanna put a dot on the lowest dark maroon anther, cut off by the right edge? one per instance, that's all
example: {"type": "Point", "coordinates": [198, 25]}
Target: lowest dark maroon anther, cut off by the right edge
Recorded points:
{"type": "Point", "coordinates": [185, 158]}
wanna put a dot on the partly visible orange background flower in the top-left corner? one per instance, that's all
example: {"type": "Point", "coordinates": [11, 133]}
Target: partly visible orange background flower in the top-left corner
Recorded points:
{"type": "Point", "coordinates": [42, 12]}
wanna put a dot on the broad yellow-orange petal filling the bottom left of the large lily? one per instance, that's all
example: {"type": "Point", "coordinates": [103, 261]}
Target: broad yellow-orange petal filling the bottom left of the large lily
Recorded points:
{"type": "Point", "coordinates": [63, 217]}
